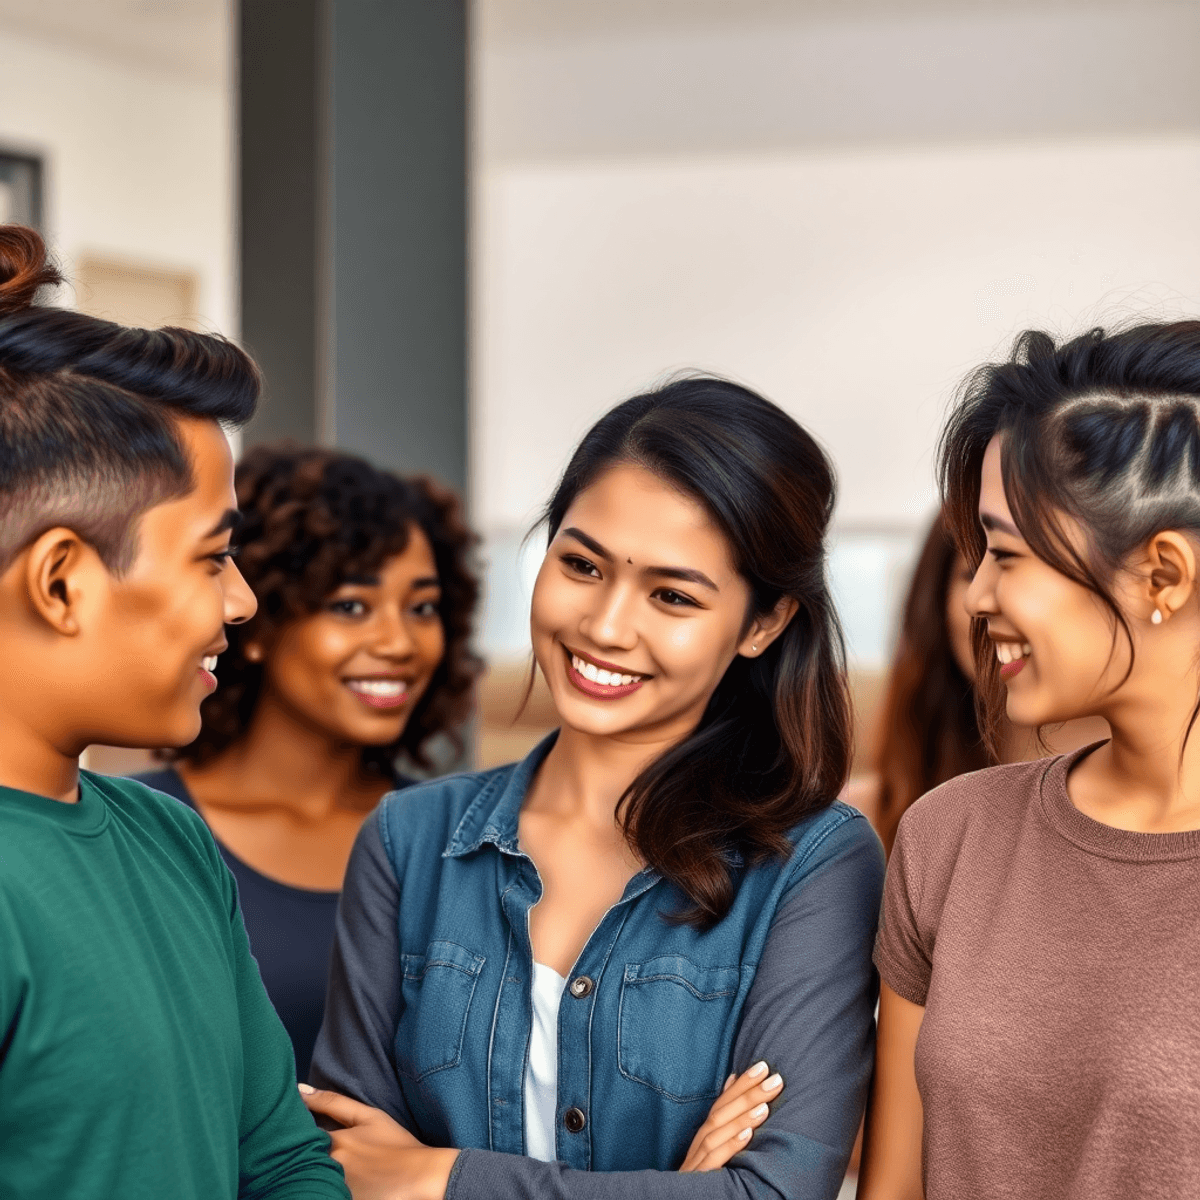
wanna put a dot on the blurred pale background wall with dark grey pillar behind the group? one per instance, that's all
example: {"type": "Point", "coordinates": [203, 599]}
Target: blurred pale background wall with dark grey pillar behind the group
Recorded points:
{"type": "Point", "coordinates": [843, 205]}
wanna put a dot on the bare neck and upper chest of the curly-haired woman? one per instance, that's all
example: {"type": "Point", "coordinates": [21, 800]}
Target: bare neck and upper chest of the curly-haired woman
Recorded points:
{"type": "Point", "coordinates": [291, 764]}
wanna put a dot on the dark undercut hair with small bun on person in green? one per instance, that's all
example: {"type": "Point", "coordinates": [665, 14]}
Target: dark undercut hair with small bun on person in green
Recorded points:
{"type": "Point", "coordinates": [89, 410]}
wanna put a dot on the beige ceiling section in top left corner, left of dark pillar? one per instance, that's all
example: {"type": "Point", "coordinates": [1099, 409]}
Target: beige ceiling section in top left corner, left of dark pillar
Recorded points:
{"type": "Point", "coordinates": [190, 38]}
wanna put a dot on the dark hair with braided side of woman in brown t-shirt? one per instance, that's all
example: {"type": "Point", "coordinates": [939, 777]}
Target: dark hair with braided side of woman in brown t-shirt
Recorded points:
{"type": "Point", "coordinates": [1105, 430]}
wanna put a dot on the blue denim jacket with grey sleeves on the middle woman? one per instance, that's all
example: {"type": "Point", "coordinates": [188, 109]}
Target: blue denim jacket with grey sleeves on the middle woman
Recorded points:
{"type": "Point", "coordinates": [430, 1005]}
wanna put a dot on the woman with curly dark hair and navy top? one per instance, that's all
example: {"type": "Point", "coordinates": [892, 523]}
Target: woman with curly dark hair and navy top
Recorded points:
{"type": "Point", "coordinates": [358, 658]}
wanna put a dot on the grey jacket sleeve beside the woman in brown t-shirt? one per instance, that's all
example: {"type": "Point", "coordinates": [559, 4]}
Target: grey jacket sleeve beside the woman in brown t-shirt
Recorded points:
{"type": "Point", "coordinates": [811, 1015]}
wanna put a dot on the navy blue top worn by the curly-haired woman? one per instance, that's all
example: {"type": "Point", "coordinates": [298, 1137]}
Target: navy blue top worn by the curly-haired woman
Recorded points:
{"type": "Point", "coordinates": [291, 934]}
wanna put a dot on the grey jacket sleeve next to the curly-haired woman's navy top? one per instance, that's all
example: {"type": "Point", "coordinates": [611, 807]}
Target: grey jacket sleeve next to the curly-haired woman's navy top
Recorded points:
{"type": "Point", "coordinates": [355, 1049]}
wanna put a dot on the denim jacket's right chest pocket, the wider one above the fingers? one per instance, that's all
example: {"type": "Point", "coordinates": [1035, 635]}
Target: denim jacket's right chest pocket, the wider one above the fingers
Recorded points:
{"type": "Point", "coordinates": [669, 1006]}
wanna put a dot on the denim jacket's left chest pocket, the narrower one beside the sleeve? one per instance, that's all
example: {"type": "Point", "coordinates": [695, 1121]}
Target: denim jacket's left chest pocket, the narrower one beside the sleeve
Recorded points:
{"type": "Point", "coordinates": [437, 988]}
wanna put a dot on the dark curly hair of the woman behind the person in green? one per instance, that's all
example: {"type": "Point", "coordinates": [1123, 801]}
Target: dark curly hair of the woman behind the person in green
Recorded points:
{"type": "Point", "coordinates": [313, 519]}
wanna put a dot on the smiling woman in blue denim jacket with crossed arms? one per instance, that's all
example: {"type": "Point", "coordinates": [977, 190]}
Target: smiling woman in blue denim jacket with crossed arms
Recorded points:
{"type": "Point", "coordinates": [548, 976]}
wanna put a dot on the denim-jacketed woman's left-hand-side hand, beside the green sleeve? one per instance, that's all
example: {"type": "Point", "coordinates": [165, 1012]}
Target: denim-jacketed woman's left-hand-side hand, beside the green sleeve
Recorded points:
{"type": "Point", "coordinates": [382, 1160]}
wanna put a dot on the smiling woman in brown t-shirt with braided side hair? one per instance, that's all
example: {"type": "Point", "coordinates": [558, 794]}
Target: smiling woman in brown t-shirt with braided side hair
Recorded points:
{"type": "Point", "coordinates": [1040, 1030]}
